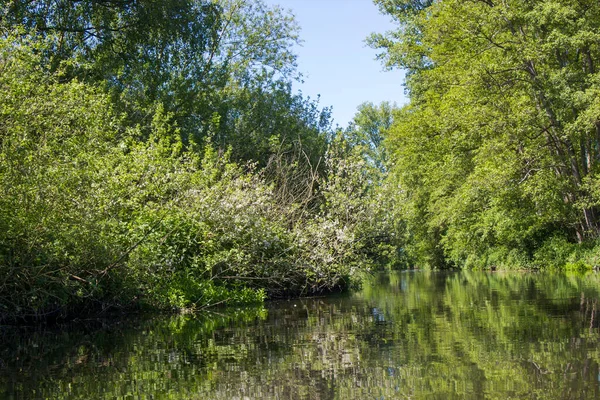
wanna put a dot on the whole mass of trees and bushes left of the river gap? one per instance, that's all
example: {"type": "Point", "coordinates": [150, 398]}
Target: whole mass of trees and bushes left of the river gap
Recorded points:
{"type": "Point", "coordinates": [154, 154]}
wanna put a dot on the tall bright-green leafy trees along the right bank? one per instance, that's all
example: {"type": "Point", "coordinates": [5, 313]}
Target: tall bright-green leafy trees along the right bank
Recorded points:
{"type": "Point", "coordinates": [496, 159]}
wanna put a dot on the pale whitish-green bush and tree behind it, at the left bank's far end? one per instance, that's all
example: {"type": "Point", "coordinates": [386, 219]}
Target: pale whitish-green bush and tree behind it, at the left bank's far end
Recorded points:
{"type": "Point", "coordinates": [358, 202]}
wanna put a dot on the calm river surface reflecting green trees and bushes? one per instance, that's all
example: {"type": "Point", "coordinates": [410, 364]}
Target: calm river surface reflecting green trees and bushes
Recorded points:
{"type": "Point", "coordinates": [408, 335]}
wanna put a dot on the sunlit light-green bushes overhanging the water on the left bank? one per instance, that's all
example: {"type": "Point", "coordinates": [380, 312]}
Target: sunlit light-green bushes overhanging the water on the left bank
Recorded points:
{"type": "Point", "coordinates": [92, 217]}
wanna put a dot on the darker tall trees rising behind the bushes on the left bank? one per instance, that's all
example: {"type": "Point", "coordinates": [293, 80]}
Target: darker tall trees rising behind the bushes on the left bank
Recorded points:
{"type": "Point", "coordinates": [200, 59]}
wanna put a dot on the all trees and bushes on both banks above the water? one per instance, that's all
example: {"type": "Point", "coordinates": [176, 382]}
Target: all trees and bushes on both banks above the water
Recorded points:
{"type": "Point", "coordinates": [154, 153]}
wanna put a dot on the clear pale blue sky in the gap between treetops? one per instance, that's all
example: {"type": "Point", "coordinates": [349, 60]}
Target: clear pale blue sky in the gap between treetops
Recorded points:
{"type": "Point", "coordinates": [334, 58]}
